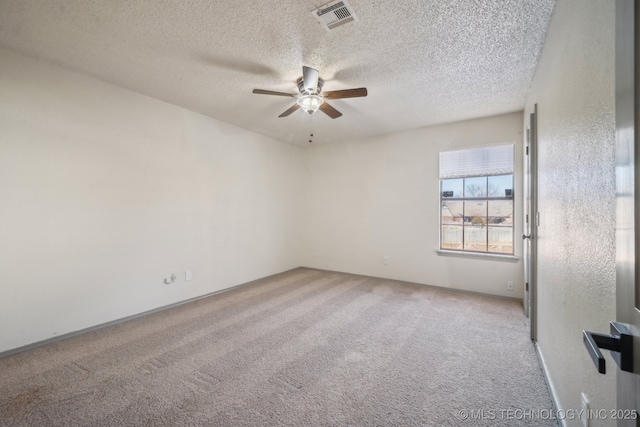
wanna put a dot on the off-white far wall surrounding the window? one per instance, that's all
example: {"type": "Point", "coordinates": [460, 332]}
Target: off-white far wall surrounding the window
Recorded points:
{"type": "Point", "coordinates": [380, 197]}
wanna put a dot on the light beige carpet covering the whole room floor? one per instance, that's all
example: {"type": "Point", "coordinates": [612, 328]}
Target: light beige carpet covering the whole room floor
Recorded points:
{"type": "Point", "coordinates": [303, 348]}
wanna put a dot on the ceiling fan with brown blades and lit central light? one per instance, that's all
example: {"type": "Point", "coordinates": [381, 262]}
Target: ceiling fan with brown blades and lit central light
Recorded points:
{"type": "Point", "coordinates": [311, 99]}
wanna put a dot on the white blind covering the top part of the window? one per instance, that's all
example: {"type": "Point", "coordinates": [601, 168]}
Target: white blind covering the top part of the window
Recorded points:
{"type": "Point", "coordinates": [483, 161]}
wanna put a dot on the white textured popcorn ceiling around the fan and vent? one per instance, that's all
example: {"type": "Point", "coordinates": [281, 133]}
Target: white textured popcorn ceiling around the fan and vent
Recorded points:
{"type": "Point", "coordinates": [423, 62]}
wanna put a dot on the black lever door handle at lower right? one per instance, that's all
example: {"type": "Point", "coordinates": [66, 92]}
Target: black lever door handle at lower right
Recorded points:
{"type": "Point", "coordinates": [620, 342]}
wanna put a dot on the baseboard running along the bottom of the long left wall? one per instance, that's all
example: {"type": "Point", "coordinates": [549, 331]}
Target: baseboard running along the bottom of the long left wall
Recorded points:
{"type": "Point", "coordinates": [127, 318]}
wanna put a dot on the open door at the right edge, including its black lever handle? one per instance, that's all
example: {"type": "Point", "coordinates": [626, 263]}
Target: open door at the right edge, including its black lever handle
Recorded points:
{"type": "Point", "coordinates": [624, 337]}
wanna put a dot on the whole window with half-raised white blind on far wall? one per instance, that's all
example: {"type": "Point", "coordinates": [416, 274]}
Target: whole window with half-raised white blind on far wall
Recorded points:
{"type": "Point", "coordinates": [476, 200]}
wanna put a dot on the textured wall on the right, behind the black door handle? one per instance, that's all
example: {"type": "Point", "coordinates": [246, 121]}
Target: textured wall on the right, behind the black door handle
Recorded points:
{"type": "Point", "coordinates": [574, 89]}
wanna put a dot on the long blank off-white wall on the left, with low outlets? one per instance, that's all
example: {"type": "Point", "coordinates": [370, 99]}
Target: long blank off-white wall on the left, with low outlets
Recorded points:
{"type": "Point", "coordinates": [104, 192]}
